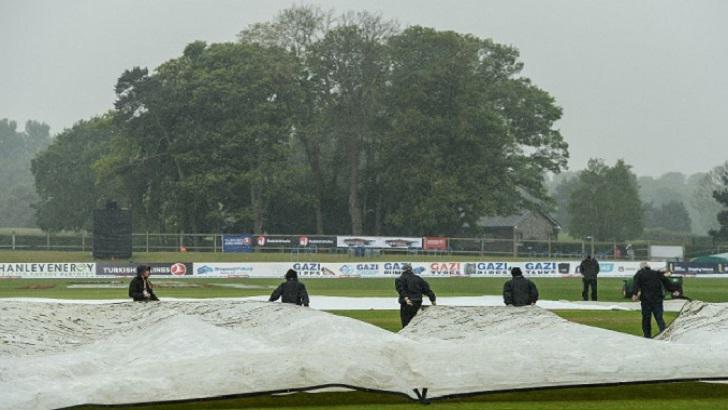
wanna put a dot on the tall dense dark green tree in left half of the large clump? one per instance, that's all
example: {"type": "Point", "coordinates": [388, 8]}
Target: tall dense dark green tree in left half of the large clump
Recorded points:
{"type": "Point", "coordinates": [207, 136]}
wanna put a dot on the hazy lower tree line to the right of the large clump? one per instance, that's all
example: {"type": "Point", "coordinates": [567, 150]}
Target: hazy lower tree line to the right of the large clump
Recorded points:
{"type": "Point", "coordinates": [611, 203]}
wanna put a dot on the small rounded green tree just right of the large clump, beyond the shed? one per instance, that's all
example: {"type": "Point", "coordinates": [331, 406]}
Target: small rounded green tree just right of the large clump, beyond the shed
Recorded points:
{"type": "Point", "coordinates": [606, 204]}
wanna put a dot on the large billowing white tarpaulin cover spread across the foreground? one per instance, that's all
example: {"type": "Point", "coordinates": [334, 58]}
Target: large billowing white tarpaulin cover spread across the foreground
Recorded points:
{"type": "Point", "coordinates": [63, 354]}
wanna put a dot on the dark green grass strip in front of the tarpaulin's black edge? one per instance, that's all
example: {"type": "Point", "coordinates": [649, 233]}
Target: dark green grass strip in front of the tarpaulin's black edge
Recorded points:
{"type": "Point", "coordinates": [673, 396]}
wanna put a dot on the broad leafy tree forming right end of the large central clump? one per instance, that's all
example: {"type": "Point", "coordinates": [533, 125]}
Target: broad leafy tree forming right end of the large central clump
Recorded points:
{"type": "Point", "coordinates": [466, 135]}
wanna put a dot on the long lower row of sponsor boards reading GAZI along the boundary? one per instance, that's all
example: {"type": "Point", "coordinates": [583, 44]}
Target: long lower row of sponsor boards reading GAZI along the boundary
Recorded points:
{"type": "Point", "coordinates": [535, 268]}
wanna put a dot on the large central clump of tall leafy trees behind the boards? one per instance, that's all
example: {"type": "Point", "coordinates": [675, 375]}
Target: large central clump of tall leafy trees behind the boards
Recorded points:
{"type": "Point", "coordinates": [313, 123]}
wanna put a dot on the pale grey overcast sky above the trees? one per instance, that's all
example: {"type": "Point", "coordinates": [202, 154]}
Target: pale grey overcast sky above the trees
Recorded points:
{"type": "Point", "coordinates": [646, 81]}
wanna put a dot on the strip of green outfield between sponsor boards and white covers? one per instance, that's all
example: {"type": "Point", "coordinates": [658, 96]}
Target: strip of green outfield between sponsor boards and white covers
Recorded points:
{"type": "Point", "coordinates": [610, 289]}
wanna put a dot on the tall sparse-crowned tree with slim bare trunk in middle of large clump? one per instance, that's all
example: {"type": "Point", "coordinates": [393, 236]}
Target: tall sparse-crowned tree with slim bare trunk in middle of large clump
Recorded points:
{"type": "Point", "coordinates": [350, 71]}
